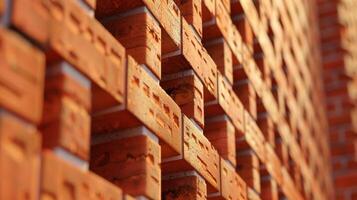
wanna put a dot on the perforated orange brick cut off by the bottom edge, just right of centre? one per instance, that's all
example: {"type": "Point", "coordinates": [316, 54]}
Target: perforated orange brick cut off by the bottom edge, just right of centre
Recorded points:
{"type": "Point", "coordinates": [232, 185]}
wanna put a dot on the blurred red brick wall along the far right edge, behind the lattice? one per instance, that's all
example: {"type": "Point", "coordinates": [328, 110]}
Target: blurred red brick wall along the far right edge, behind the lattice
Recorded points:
{"type": "Point", "coordinates": [338, 23]}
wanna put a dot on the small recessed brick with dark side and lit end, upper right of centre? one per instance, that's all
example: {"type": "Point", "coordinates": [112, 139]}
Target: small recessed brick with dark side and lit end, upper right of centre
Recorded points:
{"type": "Point", "coordinates": [222, 56]}
